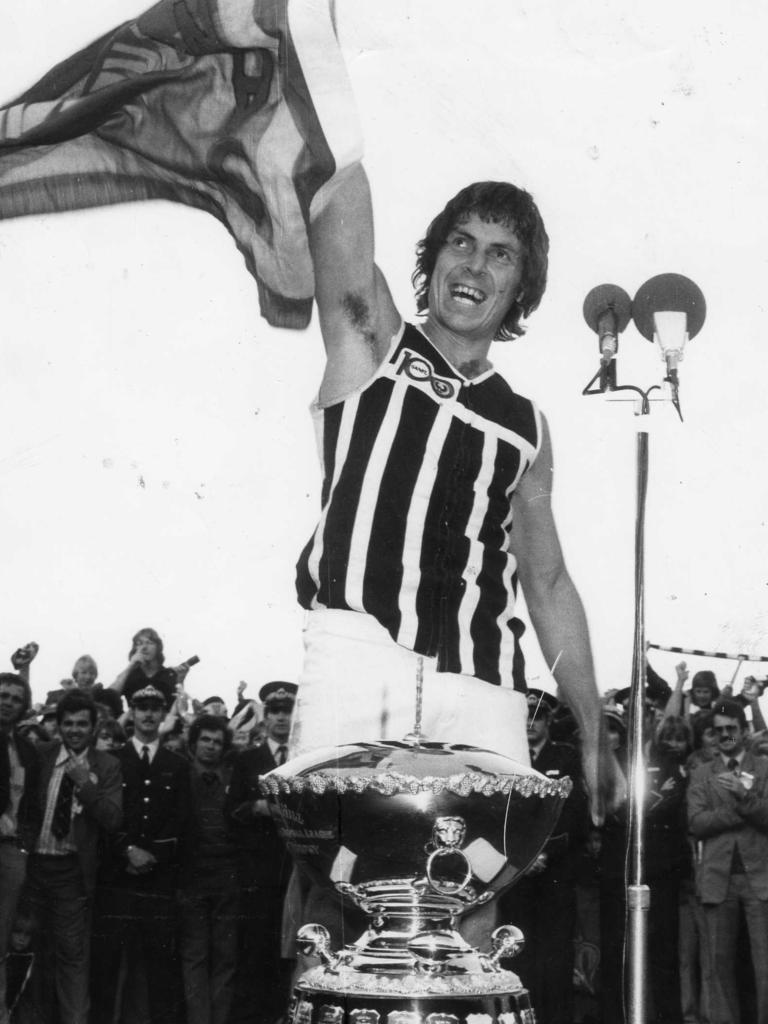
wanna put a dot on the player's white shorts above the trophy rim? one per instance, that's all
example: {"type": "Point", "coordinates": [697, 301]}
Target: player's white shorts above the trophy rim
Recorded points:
{"type": "Point", "coordinates": [358, 686]}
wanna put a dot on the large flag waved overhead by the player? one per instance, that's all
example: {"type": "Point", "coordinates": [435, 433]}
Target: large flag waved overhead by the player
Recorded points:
{"type": "Point", "coordinates": [240, 108]}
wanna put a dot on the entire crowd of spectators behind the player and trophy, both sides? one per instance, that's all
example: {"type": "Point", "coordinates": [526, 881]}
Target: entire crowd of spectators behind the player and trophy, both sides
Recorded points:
{"type": "Point", "coordinates": [144, 880]}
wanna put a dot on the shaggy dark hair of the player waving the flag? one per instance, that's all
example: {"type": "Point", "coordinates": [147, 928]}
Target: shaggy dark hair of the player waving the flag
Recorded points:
{"type": "Point", "coordinates": [501, 203]}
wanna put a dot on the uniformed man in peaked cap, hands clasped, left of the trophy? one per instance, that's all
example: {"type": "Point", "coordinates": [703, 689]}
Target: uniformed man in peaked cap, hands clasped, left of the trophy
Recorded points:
{"type": "Point", "coordinates": [138, 910]}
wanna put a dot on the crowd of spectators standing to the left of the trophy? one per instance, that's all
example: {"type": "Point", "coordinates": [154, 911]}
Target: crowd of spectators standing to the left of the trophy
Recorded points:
{"type": "Point", "coordinates": [142, 877]}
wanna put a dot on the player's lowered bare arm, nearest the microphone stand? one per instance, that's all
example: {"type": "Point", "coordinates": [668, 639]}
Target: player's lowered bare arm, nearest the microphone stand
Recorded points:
{"type": "Point", "coordinates": [558, 615]}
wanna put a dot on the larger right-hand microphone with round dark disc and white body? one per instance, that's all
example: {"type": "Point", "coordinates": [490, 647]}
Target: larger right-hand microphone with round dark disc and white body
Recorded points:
{"type": "Point", "coordinates": [670, 310]}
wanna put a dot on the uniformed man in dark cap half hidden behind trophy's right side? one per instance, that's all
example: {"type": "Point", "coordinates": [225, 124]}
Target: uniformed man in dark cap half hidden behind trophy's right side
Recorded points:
{"type": "Point", "coordinates": [543, 904]}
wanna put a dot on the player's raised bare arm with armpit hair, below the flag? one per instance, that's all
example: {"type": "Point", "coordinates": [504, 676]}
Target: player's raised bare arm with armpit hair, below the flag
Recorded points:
{"type": "Point", "coordinates": [358, 316]}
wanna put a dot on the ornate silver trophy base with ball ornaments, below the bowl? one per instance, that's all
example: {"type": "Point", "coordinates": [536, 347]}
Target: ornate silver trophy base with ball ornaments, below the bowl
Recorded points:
{"type": "Point", "coordinates": [410, 967]}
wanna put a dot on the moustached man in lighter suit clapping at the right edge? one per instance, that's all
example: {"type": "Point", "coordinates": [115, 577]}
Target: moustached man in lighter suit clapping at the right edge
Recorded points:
{"type": "Point", "coordinates": [729, 814]}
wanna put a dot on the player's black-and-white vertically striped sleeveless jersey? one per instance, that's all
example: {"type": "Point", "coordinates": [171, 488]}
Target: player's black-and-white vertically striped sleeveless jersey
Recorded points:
{"type": "Point", "coordinates": [419, 468]}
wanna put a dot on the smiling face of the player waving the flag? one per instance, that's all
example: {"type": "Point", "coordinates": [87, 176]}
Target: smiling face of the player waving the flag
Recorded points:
{"type": "Point", "coordinates": [477, 279]}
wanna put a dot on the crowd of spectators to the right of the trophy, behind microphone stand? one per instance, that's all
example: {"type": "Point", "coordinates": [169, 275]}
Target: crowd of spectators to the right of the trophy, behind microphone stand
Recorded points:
{"type": "Point", "coordinates": [705, 861]}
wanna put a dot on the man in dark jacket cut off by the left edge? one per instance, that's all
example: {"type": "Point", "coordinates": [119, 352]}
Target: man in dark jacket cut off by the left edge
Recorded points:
{"type": "Point", "coordinates": [20, 820]}
